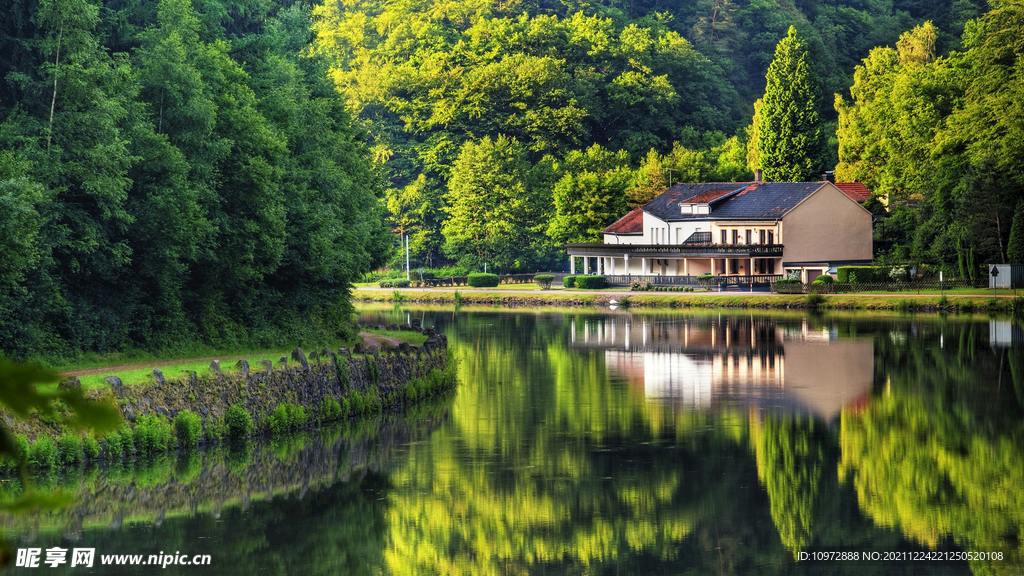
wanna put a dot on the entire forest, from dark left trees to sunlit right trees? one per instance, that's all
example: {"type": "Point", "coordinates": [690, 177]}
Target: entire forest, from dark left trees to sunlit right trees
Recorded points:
{"type": "Point", "coordinates": [220, 172]}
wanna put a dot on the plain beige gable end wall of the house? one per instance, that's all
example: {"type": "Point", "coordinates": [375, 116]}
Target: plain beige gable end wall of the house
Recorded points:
{"type": "Point", "coordinates": [827, 227]}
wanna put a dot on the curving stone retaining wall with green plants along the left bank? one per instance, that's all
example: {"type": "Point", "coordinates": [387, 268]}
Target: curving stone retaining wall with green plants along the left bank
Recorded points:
{"type": "Point", "coordinates": [231, 404]}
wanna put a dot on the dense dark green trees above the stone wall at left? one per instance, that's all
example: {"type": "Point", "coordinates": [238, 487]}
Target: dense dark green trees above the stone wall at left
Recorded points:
{"type": "Point", "coordinates": [174, 174]}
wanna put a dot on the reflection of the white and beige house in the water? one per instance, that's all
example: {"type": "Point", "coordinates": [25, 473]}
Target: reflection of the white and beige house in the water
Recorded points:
{"type": "Point", "coordinates": [703, 361]}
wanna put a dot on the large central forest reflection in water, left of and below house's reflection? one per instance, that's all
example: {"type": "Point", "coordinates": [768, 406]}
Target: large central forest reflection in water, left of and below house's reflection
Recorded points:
{"type": "Point", "coordinates": [552, 465]}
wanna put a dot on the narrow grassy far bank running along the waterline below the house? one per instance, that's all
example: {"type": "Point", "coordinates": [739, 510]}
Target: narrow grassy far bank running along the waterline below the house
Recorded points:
{"type": "Point", "coordinates": [577, 299]}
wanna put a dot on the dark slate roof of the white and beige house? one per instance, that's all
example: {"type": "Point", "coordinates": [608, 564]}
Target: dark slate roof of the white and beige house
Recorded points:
{"type": "Point", "coordinates": [733, 201]}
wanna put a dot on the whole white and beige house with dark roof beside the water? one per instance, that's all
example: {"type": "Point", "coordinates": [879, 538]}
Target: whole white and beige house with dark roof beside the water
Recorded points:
{"type": "Point", "coordinates": [750, 233]}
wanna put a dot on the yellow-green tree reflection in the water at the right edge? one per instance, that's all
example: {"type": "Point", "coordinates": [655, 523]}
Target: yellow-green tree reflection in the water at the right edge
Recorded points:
{"type": "Point", "coordinates": [940, 456]}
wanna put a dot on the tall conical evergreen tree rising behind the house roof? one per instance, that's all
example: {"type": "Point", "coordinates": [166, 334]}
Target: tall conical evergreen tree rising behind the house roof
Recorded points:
{"type": "Point", "coordinates": [791, 141]}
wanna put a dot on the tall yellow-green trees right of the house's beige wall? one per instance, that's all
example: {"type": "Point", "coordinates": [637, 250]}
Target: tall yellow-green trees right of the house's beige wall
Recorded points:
{"type": "Point", "coordinates": [932, 137]}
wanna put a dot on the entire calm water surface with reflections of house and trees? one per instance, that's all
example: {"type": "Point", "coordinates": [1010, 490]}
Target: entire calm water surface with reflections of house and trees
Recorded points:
{"type": "Point", "coordinates": [610, 442]}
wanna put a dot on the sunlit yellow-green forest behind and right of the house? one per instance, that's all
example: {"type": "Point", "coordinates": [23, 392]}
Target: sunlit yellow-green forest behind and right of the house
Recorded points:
{"type": "Point", "coordinates": [507, 130]}
